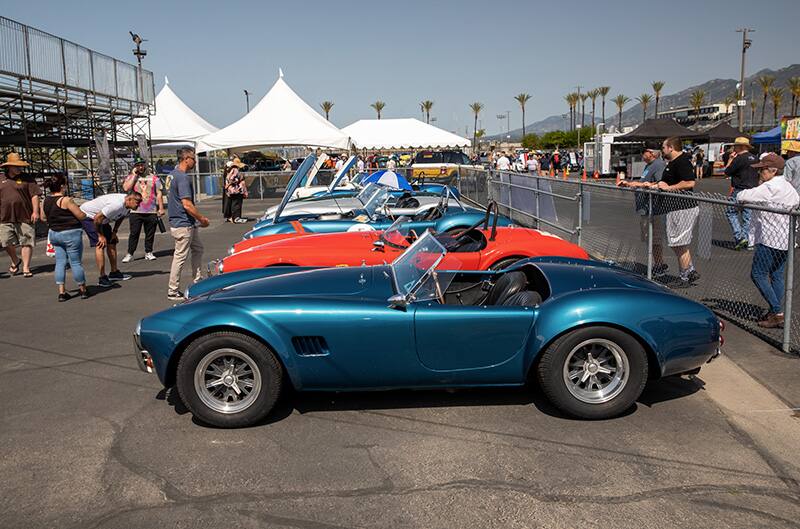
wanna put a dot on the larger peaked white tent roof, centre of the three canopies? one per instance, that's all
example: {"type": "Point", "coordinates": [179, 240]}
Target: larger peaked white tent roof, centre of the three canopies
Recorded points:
{"type": "Point", "coordinates": [281, 118]}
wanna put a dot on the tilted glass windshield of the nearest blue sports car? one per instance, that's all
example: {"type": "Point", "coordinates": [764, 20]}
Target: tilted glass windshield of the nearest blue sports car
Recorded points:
{"type": "Point", "coordinates": [415, 273]}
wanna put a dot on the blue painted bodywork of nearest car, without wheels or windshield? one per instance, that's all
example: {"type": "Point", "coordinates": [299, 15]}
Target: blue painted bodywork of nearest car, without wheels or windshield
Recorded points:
{"type": "Point", "coordinates": [372, 346]}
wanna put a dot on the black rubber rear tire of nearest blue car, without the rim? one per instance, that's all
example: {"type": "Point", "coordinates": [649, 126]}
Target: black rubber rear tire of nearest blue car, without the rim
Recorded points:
{"type": "Point", "coordinates": [551, 377]}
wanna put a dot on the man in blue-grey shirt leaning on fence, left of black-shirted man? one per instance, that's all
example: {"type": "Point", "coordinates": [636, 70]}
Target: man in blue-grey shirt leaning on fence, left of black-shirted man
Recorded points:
{"type": "Point", "coordinates": [651, 175]}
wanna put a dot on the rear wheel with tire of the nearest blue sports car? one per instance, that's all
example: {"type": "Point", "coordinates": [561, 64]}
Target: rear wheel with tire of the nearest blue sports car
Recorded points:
{"type": "Point", "coordinates": [594, 372]}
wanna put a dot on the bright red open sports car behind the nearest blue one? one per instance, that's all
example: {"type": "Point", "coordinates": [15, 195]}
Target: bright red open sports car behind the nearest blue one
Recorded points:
{"type": "Point", "coordinates": [476, 248]}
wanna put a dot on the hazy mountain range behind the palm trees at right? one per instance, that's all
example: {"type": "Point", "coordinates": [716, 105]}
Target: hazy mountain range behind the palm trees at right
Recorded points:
{"type": "Point", "coordinates": [716, 90]}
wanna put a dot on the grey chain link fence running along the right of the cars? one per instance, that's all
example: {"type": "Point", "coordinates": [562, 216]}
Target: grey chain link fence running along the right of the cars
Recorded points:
{"type": "Point", "coordinates": [742, 277]}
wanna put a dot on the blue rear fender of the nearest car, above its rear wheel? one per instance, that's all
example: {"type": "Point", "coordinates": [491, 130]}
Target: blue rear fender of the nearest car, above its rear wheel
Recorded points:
{"type": "Point", "coordinates": [681, 333]}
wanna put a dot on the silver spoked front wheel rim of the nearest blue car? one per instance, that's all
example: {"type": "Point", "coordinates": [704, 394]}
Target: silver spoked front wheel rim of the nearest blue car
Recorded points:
{"type": "Point", "coordinates": [227, 381]}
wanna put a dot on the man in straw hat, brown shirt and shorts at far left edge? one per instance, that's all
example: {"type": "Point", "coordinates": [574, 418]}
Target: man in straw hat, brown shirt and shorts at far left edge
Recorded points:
{"type": "Point", "coordinates": [19, 212]}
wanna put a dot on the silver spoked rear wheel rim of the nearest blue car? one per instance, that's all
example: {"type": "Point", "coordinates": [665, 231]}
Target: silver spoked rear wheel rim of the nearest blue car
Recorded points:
{"type": "Point", "coordinates": [596, 371]}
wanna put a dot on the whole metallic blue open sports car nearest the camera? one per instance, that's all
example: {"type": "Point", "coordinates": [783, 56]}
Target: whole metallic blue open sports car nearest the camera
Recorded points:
{"type": "Point", "coordinates": [592, 335]}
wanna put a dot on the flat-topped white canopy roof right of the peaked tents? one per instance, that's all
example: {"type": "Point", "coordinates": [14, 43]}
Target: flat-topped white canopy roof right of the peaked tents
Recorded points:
{"type": "Point", "coordinates": [407, 133]}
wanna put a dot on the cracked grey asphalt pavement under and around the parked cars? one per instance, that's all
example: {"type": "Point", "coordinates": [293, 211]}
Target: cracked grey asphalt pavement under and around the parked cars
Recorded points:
{"type": "Point", "coordinates": [91, 441]}
